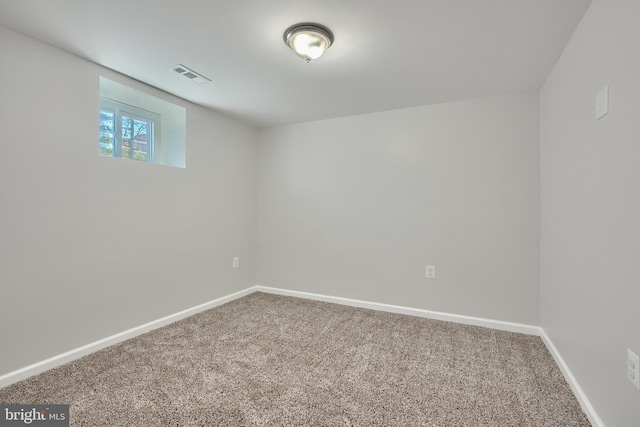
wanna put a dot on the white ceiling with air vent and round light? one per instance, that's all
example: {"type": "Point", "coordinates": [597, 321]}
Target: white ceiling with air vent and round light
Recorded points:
{"type": "Point", "coordinates": [387, 54]}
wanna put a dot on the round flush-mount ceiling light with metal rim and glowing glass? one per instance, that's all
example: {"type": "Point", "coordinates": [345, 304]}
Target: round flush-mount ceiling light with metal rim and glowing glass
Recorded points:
{"type": "Point", "coordinates": [307, 40]}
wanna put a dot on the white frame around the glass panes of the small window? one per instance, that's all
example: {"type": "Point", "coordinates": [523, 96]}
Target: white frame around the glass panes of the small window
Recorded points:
{"type": "Point", "coordinates": [153, 127]}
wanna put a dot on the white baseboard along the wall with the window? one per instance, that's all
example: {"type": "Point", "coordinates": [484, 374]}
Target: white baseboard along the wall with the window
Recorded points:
{"type": "Point", "coordinates": [61, 359]}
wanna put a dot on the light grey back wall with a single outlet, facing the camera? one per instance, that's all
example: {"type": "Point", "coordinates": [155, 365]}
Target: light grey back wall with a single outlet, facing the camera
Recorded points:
{"type": "Point", "coordinates": [357, 206]}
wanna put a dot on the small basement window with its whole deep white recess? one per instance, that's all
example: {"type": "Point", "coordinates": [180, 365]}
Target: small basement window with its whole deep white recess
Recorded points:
{"type": "Point", "coordinates": [137, 126]}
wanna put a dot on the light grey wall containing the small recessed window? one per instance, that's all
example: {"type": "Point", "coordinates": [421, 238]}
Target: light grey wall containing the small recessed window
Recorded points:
{"type": "Point", "coordinates": [91, 246]}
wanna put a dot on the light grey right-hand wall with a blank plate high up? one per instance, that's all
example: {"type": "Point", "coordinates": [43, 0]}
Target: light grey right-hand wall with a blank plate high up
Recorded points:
{"type": "Point", "coordinates": [590, 199]}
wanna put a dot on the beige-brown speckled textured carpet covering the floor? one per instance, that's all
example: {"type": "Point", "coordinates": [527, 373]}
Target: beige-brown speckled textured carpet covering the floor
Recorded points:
{"type": "Point", "coordinates": [274, 360]}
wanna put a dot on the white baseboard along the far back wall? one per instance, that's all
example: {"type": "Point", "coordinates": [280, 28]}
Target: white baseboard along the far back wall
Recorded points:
{"type": "Point", "coordinates": [436, 315]}
